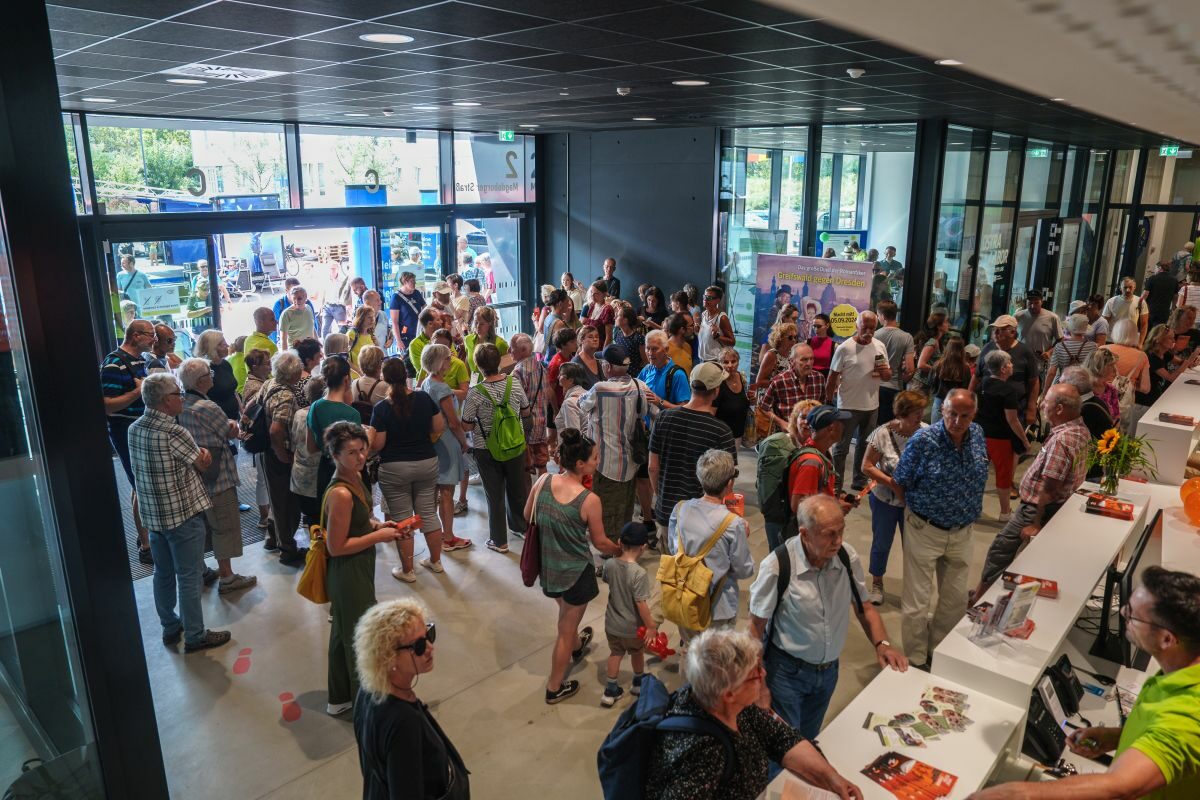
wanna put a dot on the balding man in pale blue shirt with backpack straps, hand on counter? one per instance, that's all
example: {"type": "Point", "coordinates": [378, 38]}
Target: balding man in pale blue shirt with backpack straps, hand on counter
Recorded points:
{"type": "Point", "coordinates": [805, 593]}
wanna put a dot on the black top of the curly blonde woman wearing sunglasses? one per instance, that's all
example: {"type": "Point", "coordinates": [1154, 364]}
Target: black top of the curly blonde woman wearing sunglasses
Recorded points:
{"type": "Point", "coordinates": [405, 754]}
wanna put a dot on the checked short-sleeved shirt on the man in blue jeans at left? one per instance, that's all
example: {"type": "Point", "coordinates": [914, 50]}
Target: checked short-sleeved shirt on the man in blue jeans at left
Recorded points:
{"type": "Point", "coordinates": [164, 454]}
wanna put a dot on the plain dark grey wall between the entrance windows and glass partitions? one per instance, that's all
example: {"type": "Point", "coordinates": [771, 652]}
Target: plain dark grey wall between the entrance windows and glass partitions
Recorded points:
{"type": "Point", "coordinates": [644, 197]}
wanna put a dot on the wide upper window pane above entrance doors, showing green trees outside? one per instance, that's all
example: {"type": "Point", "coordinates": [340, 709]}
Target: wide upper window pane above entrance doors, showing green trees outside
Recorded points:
{"type": "Point", "coordinates": [151, 166]}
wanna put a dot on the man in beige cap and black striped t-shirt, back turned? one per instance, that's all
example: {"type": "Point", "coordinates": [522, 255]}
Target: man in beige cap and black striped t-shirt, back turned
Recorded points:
{"type": "Point", "coordinates": [680, 438]}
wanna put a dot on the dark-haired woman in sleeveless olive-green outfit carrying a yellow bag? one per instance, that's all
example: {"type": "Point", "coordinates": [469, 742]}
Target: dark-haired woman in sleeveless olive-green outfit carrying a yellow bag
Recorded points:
{"type": "Point", "coordinates": [351, 539]}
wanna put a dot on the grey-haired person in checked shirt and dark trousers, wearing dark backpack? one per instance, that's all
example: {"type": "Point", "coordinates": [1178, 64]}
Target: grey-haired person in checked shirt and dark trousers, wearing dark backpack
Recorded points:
{"type": "Point", "coordinates": [281, 399]}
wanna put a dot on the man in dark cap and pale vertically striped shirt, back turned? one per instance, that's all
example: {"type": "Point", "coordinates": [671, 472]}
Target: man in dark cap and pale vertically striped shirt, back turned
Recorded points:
{"type": "Point", "coordinates": [614, 408]}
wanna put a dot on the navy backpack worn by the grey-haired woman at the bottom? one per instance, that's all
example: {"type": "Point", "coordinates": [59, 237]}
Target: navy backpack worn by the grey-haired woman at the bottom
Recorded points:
{"type": "Point", "coordinates": [625, 757]}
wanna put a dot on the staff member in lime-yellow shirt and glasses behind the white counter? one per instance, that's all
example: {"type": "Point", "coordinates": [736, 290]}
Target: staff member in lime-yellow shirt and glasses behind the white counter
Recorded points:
{"type": "Point", "coordinates": [1157, 754]}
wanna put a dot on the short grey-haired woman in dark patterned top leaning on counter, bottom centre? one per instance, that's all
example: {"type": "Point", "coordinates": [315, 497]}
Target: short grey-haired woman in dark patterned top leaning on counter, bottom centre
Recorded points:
{"type": "Point", "coordinates": [727, 681]}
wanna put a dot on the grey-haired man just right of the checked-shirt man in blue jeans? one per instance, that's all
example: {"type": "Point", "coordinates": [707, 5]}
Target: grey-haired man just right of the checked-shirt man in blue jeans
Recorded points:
{"type": "Point", "coordinates": [213, 431]}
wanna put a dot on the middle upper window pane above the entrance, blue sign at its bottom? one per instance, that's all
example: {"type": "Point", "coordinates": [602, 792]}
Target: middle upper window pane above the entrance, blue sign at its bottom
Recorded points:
{"type": "Point", "coordinates": [347, 167]}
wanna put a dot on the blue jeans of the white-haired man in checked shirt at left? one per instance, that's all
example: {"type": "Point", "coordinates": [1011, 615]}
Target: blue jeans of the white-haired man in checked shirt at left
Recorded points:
{"type": "Point", "coordinates": [179, 558]}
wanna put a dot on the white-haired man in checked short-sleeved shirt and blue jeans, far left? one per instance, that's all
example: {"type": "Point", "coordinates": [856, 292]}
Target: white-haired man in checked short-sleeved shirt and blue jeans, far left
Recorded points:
{"type": "Point", "coordinates": [167, 466]}
